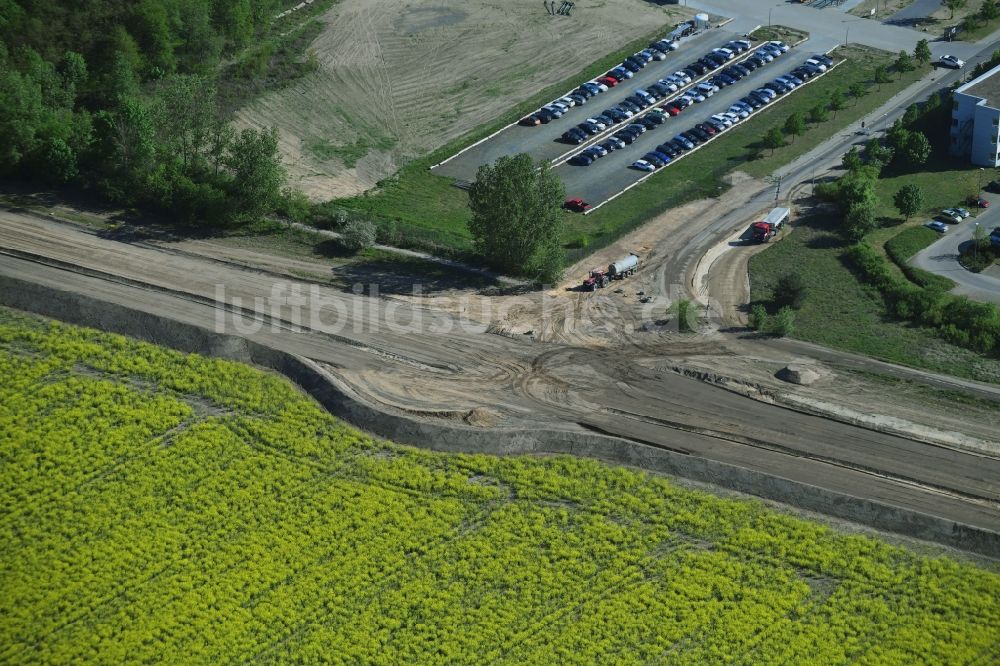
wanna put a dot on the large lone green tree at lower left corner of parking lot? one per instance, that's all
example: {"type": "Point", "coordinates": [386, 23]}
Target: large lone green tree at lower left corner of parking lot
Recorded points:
{"type": "Point", "coordinates": [517, 218]}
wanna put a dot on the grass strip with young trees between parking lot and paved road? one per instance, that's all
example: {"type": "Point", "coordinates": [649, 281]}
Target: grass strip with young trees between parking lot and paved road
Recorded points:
{"type": "Point", "coordinates": [700, 175]}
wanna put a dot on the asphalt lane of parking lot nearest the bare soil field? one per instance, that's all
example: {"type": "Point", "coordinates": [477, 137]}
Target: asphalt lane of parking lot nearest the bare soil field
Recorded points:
{"type": "Point", "coordinates": [542, 142]}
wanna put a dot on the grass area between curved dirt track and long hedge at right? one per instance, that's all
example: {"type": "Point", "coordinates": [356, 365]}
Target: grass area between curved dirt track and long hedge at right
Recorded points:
{"type": "Point", "coordinates": [842, 312]}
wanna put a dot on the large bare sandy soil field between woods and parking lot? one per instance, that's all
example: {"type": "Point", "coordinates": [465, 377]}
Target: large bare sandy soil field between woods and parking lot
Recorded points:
{"type": "Point", "coordinates": [398, 79]}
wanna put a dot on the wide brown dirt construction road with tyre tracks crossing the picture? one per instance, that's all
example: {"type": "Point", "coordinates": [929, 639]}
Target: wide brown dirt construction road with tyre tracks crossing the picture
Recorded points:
{"type": "Point", "coordinates": [403, 357]}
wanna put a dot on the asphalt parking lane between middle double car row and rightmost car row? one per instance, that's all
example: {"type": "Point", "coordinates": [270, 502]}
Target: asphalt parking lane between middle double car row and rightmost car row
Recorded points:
{"type": "Point", "coordinates": [611, 174]}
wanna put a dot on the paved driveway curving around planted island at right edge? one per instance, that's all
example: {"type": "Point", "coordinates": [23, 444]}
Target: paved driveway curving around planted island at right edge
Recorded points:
{"type": "Point", "coordinates": [942, 258]}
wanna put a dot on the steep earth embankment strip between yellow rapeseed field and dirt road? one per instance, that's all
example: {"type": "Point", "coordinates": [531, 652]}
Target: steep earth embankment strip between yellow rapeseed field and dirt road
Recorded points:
{"type": "Point", "coordinates": [85, 310]}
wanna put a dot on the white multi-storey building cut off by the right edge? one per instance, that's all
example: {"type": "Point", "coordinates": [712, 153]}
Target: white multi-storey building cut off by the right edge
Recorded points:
{"type": "Point", "coordinates": [975, 119]}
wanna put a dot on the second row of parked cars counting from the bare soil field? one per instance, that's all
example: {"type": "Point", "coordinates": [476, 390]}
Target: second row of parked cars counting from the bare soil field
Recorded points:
{"type": "Point", "coordinates": [644, 98]}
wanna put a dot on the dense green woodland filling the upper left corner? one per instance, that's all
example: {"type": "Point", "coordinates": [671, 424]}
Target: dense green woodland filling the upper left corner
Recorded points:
{"type": "Point", "coordinates": [120, 98]}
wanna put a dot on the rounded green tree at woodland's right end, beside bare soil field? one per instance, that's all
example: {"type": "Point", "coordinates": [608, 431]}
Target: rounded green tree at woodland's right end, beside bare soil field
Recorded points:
{"type": "Point", "coordinates": [257, 175]}
